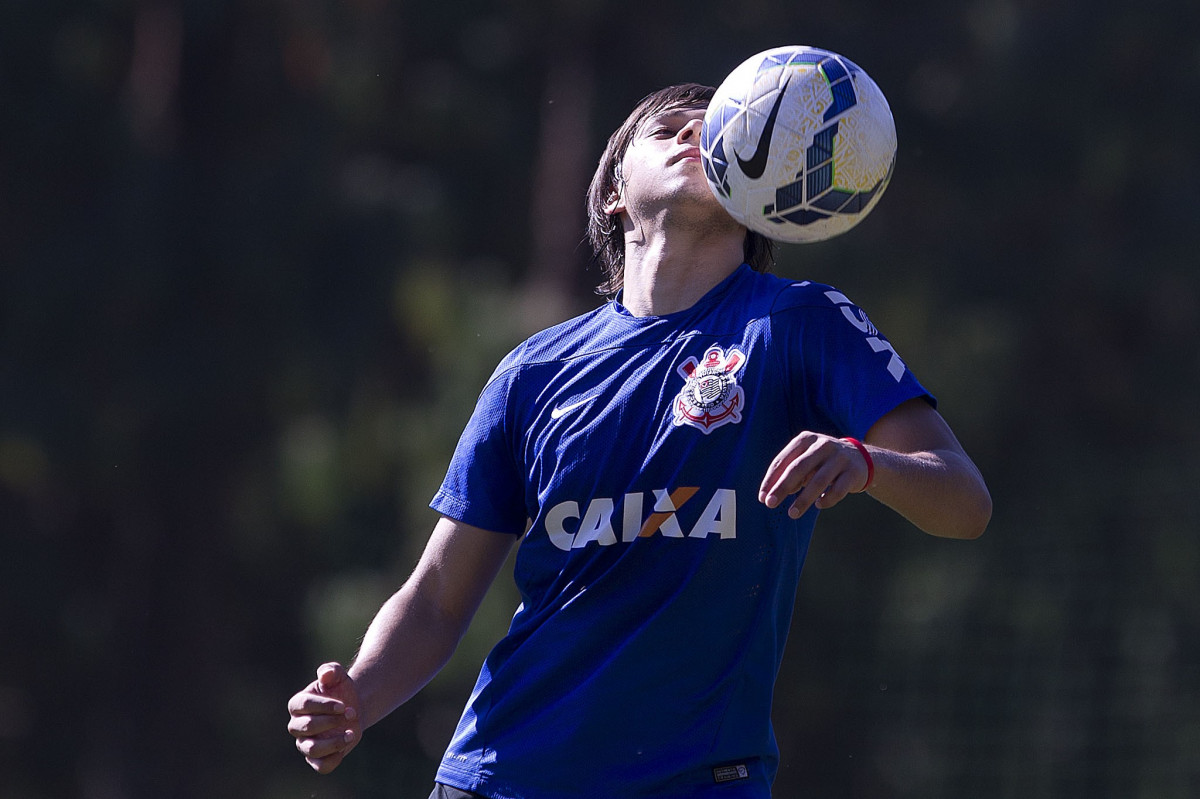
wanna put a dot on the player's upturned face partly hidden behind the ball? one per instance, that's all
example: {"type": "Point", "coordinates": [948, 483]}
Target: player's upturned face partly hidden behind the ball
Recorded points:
{"type": "Point", "coordinates": [662, 169]}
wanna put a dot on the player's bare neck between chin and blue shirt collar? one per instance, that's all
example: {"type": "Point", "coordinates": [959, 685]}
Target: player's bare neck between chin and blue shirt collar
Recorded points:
{"type": "Point", "coordinates": [665, 274]}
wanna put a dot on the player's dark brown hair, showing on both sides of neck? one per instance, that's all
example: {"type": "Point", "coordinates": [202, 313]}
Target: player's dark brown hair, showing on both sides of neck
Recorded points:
{"type": "Point", "coordinates": [605, 230]}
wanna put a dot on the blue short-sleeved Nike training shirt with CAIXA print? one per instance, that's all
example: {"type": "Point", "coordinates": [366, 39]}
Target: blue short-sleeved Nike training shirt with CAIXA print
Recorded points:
{"type": "Point", "coordinates": [656, 591]}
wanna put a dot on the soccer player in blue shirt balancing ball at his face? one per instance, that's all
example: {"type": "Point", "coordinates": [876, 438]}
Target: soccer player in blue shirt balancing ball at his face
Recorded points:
{"type": "Point", "coordinates": [662, 461]}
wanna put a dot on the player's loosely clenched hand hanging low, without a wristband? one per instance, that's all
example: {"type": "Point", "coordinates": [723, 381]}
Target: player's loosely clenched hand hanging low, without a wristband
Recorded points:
{"type": "Point", "coordinates": [326, 718]}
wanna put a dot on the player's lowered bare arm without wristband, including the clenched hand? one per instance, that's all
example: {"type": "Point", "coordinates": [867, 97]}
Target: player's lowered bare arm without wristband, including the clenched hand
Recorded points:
{"type": "Point", "coordinates": [411, 639]}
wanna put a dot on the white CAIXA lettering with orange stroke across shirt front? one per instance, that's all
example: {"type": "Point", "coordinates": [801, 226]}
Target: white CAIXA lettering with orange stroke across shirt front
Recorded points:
{"type": "Point", "coordinates": [572, 527]}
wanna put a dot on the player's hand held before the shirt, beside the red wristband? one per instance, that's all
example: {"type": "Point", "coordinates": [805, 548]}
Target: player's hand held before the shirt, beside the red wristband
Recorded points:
{"type": "Point", "coordinates": [819, 470]}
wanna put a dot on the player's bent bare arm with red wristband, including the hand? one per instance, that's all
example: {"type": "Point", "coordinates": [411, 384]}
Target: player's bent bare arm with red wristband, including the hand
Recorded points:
{"type": "Point", "coordinates": [920, 471]}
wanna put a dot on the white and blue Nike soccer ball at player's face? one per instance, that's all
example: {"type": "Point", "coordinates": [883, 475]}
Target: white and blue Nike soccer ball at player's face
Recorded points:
{"type": "Point", "coordinates": [799, 145]}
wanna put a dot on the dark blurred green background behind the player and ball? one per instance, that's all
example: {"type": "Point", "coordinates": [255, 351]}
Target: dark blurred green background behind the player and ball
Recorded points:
{"type": "Point", "coordinates": [257, 260]}
